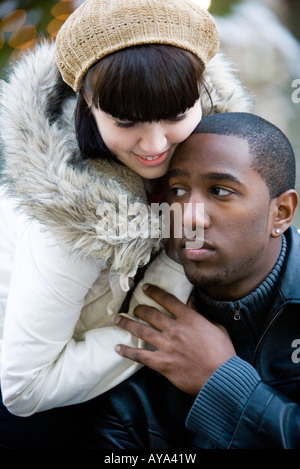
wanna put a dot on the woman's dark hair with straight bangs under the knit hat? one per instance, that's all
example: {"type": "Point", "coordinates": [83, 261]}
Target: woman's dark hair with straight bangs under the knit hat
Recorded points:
{"type": "Point", "coordinates": [144, 83]}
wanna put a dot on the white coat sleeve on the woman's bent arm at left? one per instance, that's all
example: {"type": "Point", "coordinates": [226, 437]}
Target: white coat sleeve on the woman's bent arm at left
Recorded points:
{"type": "Point", "coordinates": [41, 364]}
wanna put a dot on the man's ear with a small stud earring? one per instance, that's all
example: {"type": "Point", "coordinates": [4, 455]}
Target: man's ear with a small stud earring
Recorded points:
{"type": "Point", "coordinates": [284, 206]}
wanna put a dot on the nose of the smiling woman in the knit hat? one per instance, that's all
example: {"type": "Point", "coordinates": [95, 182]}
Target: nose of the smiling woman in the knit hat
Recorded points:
{"type": "Point", "coordinates": [153, 140]}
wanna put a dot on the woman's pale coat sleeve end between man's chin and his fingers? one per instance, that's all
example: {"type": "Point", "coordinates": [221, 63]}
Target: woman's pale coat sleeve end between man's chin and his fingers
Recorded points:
{"type": "Point", "coordinates": [167, 274]}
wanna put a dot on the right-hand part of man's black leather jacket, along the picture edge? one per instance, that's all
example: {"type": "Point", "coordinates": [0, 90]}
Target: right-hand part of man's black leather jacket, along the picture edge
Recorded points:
{"type": "Point", "coordinates": [272, 416]}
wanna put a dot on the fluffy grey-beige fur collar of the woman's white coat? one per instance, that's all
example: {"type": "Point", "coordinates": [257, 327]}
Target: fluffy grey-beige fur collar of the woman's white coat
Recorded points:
{"type": "Point", "coordinates": [42, 169]}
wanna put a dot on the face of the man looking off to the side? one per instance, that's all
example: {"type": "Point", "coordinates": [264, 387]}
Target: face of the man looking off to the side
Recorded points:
{"type": "Point", "coordinates": [238, 250]}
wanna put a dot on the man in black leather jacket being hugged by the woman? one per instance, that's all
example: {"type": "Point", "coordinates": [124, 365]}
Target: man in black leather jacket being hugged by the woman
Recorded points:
{"type": "Point", "coordinates": [232, 360]}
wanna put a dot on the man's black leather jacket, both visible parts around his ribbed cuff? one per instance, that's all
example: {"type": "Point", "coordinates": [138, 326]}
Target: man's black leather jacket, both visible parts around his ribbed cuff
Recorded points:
{"type": "Point", "coordinates": [147, 412]}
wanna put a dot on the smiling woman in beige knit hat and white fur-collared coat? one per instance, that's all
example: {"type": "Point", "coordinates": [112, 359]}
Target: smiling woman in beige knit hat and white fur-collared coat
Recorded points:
{"type": "Point", "coordinates": [135, 74]}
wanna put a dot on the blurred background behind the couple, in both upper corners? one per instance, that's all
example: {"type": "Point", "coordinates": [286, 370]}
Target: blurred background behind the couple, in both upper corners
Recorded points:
{"type": "Point", "coordinates": [261, 38]}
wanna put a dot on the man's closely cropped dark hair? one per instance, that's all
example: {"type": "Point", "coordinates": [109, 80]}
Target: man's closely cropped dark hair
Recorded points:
{"type": "Point", "coordinates": [273, 155]}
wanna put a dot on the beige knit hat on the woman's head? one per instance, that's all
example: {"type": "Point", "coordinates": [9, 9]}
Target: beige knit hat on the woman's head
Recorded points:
{"type": "Point", "coordinates": [99, 27]}
